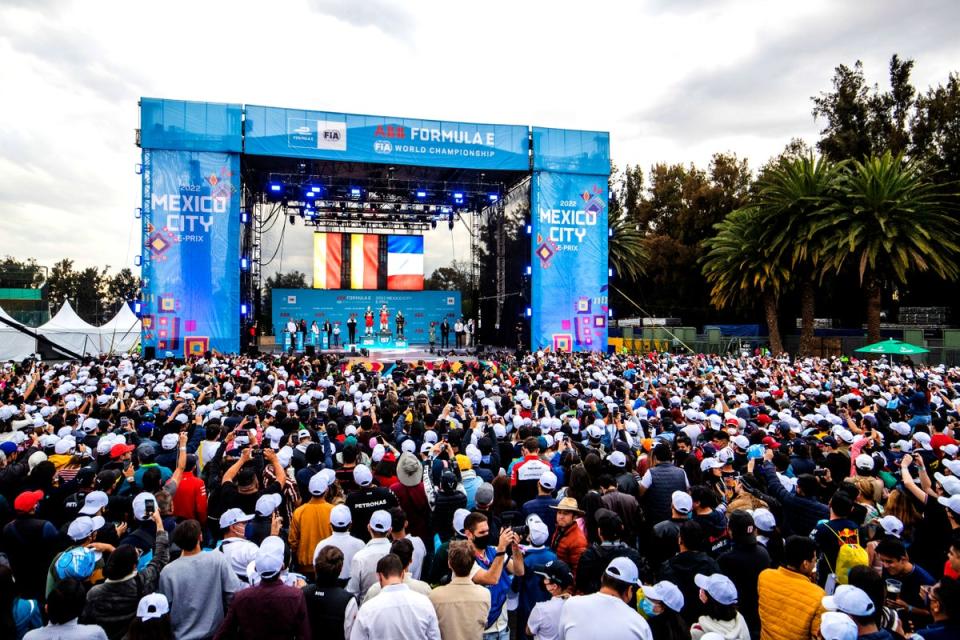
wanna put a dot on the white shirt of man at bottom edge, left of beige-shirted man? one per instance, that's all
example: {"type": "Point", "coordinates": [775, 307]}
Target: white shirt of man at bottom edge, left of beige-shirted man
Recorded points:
{"type": "Point", "coordinates": [398, 614]}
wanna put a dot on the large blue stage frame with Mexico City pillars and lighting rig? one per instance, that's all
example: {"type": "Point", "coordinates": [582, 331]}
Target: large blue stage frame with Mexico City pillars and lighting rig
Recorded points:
{"type": "Point", "coordinates": [217, 176]}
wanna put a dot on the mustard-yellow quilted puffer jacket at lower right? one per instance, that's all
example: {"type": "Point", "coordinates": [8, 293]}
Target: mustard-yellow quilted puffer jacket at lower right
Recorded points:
{"type": "Point", "coordinates": [790, 605]}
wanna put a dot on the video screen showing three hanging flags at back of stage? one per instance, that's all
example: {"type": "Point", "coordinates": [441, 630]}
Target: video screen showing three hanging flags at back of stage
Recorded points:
{"type": "Point", "coordinates": [367, 261]}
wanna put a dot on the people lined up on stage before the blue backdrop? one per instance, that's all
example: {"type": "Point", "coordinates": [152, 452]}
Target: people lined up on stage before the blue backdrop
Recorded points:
{"type": "Point", "coordinates": [463, 330]}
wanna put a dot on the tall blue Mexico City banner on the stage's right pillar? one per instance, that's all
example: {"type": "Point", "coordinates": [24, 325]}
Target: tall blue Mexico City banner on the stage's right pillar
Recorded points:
{"type": "Point", "coordinates": [569, 270]}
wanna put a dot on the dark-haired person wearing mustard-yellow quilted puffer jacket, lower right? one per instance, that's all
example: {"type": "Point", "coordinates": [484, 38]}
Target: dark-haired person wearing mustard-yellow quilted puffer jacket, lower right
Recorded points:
{"type": "Point", "coordinates": [790, 588]}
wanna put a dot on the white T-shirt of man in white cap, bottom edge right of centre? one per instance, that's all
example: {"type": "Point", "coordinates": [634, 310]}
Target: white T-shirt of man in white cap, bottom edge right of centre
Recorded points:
{"type": "Point", "coordinates": [582, 614]}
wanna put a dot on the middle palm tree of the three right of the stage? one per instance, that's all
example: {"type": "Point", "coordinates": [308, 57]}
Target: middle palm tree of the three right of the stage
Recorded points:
{"type": "Point", "coordinates": [793, 197]}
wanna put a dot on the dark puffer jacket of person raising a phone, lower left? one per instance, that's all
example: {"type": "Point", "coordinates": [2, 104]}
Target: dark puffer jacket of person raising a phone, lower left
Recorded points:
{"type": "Point", "coordinates": [113, 604]}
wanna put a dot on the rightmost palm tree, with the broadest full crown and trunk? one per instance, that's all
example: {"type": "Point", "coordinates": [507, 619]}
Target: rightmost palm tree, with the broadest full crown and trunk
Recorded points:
{"type": "Point", "coordinates": [891, 220]}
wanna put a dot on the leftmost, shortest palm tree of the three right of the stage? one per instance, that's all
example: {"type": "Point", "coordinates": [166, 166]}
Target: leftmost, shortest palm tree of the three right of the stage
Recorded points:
{"type": "Point", "coordinates": [737, 267]}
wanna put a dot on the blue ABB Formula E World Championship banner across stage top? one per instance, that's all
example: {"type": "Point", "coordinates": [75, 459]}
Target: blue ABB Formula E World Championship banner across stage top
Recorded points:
{"type": "Point", "coordinates": [325, 135]}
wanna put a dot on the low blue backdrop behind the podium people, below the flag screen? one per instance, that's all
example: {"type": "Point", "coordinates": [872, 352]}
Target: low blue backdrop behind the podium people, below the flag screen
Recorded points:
{"type": "Point", "coordinates": [419, 308]}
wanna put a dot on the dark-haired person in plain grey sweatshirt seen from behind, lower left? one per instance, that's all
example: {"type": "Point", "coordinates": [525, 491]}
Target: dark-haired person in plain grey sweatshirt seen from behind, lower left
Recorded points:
{"type": "Point", "coordinates": [196, 572]}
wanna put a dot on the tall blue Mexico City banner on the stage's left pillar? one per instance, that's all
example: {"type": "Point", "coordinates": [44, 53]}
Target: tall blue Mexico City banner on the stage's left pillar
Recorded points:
{"type": "Point", "coordinates": [191, 241]}
